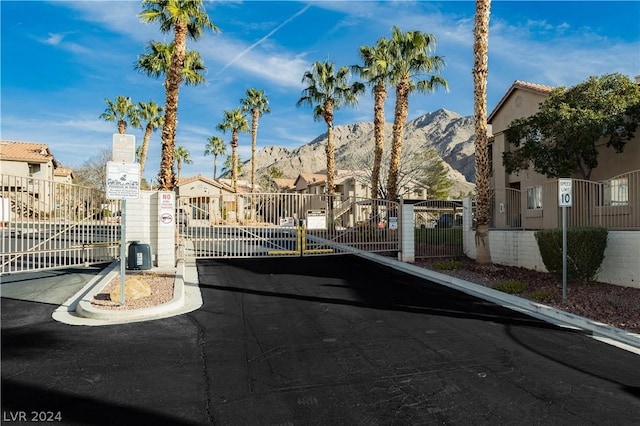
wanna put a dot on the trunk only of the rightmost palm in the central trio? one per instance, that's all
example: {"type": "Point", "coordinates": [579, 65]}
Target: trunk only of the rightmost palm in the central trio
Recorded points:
{"type": "Point", "coordinates": [400, 118]}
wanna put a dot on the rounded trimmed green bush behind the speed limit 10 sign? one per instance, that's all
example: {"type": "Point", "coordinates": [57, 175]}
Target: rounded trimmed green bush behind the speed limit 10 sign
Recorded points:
{"type": "Point", "coordinates": [585, 251]}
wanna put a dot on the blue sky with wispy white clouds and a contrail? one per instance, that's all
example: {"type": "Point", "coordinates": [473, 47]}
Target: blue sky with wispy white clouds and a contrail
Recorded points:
{"type": "Point", "coordinates": [61, 60]}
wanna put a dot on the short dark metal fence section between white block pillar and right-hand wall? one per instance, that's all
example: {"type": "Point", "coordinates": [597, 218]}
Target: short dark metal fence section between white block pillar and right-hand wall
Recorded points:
{"type": "Point", "coordinates": [438, 228]}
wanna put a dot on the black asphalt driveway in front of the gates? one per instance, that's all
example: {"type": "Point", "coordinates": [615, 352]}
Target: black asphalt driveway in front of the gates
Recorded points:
{"type": "Point", "coordinates": [315, 341]}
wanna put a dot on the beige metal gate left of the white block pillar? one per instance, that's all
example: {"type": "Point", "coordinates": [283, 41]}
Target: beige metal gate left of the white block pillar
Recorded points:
{"type": "Point", "coordinates": [47, 224]}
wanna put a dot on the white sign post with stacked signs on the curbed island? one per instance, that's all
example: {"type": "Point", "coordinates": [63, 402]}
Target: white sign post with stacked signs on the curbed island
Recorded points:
{"type": "Point", "coordinates": [123, 182]}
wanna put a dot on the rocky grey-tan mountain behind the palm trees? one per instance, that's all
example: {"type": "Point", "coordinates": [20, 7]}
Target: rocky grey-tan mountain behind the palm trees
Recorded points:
{"type": "Point", "coordinates": [450, 134]}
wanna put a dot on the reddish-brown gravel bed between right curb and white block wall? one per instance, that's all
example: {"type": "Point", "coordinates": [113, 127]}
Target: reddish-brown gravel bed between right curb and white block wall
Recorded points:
{"type": "Point", "coordinates": [610, 304]}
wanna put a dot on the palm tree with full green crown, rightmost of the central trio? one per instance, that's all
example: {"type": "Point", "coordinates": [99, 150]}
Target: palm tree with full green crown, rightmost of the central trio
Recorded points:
{"type": "Point", "coordinates": [410, 62]}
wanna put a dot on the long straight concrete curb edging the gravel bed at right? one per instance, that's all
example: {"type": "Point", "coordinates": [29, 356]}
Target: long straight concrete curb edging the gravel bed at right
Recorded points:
{"type": "Point", "coordinates": [547, 313]}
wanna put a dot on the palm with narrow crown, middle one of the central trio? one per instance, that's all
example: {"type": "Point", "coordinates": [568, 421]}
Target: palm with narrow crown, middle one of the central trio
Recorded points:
{"type": "Point", "coordinates": [376, 70]}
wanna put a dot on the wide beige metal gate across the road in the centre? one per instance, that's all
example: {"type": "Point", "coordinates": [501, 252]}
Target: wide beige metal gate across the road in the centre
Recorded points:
{"type": "Point", "coordinates": [286, 224]}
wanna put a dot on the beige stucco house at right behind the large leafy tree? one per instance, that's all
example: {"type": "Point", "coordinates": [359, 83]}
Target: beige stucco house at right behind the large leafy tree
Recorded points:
{"type": "Point", "coordinates": [529, 200]}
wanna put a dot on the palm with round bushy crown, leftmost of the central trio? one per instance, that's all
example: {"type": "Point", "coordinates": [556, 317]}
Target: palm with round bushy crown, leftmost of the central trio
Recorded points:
{"type": "Point", "coordinates": [328, 90]}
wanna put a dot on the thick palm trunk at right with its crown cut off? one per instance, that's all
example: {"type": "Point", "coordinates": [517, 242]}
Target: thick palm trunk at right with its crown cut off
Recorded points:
{"type": "Point", "coordinates": [480, 71]}
